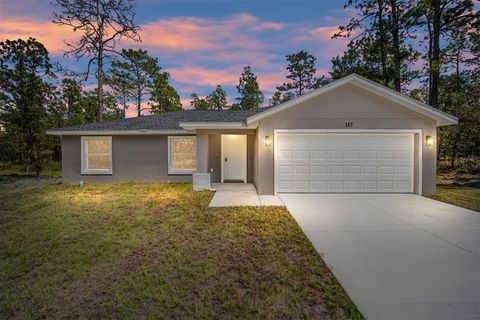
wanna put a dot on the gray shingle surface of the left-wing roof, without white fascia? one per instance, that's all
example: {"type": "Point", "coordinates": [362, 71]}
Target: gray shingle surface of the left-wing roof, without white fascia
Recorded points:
{"type": "Point", "coordinates": [167, 121]}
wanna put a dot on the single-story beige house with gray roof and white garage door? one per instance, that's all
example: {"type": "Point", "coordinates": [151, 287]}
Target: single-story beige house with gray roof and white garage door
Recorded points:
{"type": "Point", "coordinates": [353, 135]}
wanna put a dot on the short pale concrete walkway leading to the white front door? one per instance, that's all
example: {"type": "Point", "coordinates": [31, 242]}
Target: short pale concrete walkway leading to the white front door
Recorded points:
{"type": "Point", "coordinates": [240, 194]}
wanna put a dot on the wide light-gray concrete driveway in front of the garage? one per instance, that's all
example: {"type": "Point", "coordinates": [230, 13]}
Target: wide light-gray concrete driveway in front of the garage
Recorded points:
{"type": "Point", "coordinates": [397, 256]}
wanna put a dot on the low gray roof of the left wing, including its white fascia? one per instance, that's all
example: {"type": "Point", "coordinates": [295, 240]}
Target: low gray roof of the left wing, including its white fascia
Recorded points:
{"type": "Point", "coordinates": [169, 122]}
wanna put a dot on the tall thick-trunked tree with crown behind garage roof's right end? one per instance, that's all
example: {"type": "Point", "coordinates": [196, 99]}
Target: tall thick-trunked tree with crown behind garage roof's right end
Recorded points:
{"type": "Point", "coordinates": [440, 18]}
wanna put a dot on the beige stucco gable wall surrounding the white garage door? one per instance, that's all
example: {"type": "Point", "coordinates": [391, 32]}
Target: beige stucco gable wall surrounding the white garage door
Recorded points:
{"type": "Point", "coordinates": [331, 111]}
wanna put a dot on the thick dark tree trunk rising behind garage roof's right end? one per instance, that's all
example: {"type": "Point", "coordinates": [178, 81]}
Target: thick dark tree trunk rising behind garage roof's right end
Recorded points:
{"type": "Point", "coordinates": [435, 54]}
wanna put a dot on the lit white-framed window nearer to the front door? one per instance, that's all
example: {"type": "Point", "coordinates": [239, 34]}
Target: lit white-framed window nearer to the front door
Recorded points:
{"type": "Point", "coordinates": [182, 155]}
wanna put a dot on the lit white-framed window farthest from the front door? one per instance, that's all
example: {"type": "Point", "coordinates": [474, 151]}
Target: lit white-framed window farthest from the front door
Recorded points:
{"type": "Point", "coordinates": [96, 155]}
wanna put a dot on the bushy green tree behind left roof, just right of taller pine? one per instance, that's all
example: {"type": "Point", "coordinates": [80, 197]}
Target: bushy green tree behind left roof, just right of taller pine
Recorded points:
{"type": "Point", "coordinates": [164, 98]}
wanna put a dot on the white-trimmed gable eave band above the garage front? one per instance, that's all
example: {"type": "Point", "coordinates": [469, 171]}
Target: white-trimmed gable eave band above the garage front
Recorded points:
{"type": "Point", "coordinates": [442, 118]}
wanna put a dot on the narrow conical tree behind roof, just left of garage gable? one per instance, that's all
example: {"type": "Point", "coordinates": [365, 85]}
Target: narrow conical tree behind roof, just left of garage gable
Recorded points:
{"type": "Point", "coordinates": [250, 95]}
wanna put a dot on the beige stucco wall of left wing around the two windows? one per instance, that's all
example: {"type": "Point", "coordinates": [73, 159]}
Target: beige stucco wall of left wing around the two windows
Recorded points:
{"type": "Point", "coordinates": [135, 158]}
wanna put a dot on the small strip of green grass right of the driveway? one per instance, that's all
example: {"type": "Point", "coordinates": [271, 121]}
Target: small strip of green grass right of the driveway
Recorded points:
{"type": "Point", "coordinates": [460, 196]}
